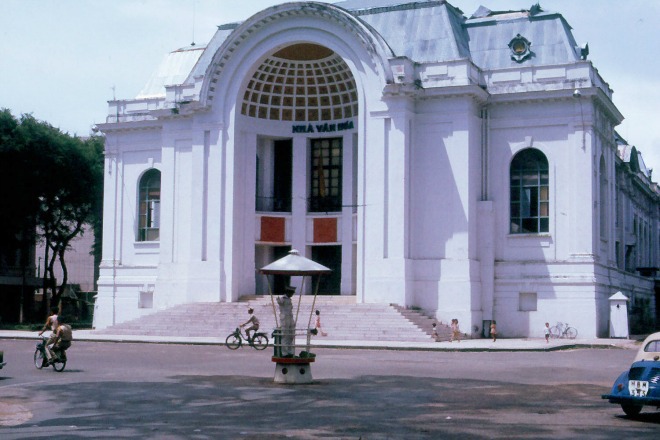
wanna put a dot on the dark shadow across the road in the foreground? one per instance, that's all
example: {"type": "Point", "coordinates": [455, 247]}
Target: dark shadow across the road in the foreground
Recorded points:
{"type": "Point", "coordinates": [368, 407]}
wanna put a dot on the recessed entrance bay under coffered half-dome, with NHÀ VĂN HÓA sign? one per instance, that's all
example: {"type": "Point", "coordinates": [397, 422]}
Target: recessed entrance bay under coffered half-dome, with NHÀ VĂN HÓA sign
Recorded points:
{"type": "Point", "coordinates": [301, 104]}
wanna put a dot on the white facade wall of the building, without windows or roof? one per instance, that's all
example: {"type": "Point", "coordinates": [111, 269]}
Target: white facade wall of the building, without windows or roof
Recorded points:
{"type": "Point", "coordinates": [425, 216]}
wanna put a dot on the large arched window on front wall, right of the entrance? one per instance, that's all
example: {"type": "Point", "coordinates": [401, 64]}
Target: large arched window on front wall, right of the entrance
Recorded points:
{"type": "Point", "coordinates": [530, 198]}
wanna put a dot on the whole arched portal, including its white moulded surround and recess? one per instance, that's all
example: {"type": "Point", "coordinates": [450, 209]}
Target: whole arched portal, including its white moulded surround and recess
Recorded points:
{"type": "Point", "coordinates": [290, 89]}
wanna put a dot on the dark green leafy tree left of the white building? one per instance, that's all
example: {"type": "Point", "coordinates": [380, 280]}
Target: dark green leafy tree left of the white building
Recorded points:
{"type": "Point", "coordinates": [53, 183]}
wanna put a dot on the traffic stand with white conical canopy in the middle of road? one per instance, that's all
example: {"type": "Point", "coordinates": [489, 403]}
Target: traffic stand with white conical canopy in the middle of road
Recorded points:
{"type": "Point", "coordinates": [294, 369]}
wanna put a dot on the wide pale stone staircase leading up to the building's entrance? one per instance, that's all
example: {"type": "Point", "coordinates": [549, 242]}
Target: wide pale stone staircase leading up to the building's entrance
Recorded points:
{"type": "Point", "coordinates": [342, 319]}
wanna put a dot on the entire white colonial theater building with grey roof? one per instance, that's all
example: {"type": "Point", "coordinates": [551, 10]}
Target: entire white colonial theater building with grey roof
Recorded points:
{"type": "Point", "coordinates": [466, 166]}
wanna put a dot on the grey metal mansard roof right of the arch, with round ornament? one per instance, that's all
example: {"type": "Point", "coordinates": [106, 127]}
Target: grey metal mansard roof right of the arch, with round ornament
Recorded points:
{"type": "Point", "coordinates": [432, 31]}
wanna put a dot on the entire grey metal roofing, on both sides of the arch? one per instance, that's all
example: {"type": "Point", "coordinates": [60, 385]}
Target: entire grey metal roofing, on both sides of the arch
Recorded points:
{"type": "Point", "coordinates": [424, 31]}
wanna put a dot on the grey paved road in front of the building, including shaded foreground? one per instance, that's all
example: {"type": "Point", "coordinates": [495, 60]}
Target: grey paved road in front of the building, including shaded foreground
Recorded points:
{"type": "Point", "coordinates": [156, 391]}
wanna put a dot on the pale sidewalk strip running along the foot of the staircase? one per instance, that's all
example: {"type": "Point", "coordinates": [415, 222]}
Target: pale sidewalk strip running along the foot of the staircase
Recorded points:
{"type": "Point", "coordinates": [522, 344]}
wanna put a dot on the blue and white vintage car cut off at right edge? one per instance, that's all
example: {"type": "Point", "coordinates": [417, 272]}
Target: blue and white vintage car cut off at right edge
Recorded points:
{"type": "Point", "coordinates": [640, 385]}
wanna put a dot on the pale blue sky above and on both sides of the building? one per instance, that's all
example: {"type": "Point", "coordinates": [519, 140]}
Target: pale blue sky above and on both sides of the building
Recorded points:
{"type": "Point", "coordinates": [61, 59]}
